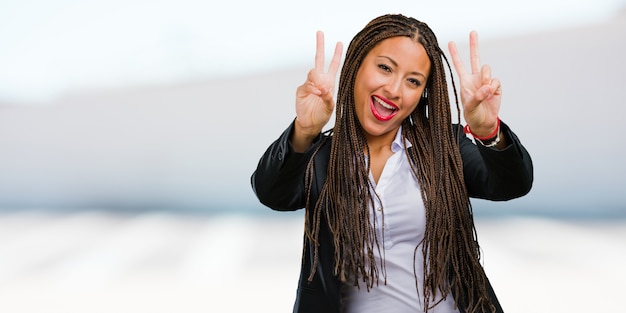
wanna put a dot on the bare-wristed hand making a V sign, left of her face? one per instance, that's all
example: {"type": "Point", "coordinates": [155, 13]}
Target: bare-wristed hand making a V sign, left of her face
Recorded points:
{"type": "Point", "coordinates": [314, 98]}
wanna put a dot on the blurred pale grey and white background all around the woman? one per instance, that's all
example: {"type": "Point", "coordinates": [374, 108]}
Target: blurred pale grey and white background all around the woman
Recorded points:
{"type": "Point", "coordinates": [129, 131]}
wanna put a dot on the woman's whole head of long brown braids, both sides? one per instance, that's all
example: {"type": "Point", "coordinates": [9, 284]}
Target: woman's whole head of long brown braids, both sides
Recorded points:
{"type": "Point", "coordinates": [451, 252]}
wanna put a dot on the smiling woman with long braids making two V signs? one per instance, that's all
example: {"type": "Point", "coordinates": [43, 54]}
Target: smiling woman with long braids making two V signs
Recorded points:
{"type": "Point", "coordinates": [389, 226]}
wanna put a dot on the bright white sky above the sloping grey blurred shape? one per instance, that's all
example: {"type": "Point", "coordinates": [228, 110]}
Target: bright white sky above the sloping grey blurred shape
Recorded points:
{"type": "Point", "coordinates": [48, 48]}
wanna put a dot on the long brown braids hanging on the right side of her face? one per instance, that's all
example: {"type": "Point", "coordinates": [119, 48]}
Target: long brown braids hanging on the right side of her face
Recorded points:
{"type": "Point", "coordinates": [450, 247]}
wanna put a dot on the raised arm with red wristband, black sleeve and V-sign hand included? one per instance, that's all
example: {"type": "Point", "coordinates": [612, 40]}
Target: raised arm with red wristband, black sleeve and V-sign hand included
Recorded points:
{"type": "Point", "coordinates": [505, 171]}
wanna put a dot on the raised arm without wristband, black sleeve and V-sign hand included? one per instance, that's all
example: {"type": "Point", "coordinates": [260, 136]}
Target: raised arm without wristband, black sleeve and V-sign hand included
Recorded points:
{"type": "Point", "coordinates": [278, 181]}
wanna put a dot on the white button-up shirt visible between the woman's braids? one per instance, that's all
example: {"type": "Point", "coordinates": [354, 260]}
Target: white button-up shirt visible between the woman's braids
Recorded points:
{"type": "Point", "coordinates": [404, 219]}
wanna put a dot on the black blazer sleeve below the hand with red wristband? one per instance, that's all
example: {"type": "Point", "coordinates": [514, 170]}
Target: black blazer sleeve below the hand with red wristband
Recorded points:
{"type": "Point", "coordinates": [496, 174]}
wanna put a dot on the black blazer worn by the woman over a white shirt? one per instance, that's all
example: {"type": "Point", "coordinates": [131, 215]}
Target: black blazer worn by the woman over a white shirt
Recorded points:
{"type": "Point", "coordinates": [278, 182]}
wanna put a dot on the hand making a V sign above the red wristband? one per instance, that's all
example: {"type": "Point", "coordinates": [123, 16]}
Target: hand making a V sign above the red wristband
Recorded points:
{"type": "Point", "coordinates": [481, 94]}
